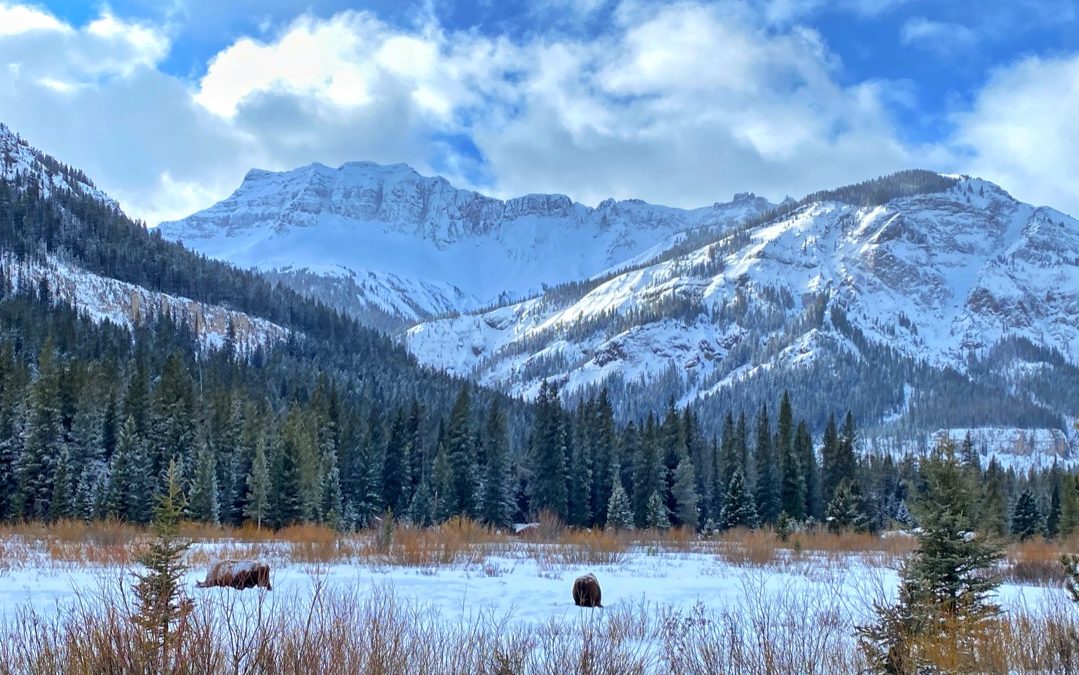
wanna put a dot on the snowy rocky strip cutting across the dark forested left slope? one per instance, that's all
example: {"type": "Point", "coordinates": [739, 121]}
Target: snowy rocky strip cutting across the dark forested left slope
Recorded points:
{"type": "Point", "coordinates": [103, 299]}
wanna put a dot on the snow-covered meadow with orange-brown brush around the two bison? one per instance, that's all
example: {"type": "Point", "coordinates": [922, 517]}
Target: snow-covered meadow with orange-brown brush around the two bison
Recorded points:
{"type": "Point", "coordinates": [463, 599]}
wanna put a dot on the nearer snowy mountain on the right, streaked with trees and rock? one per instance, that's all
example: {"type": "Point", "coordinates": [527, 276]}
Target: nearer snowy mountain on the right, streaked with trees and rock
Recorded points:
{"type": "Point", "coordinates": [887, 295]}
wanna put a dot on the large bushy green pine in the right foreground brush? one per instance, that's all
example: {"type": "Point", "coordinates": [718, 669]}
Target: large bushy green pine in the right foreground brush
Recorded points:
{"type": "Point", "coordinates": [945, 589]}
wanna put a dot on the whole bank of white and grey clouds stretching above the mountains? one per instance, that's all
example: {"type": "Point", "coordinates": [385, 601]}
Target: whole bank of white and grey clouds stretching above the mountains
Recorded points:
{"type": "Point", "coordinates": [684, 105]}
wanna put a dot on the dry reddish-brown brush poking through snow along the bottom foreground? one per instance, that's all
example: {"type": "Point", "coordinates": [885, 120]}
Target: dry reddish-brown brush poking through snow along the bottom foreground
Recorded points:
{"type": "Point", "coordinates": [762, 632]}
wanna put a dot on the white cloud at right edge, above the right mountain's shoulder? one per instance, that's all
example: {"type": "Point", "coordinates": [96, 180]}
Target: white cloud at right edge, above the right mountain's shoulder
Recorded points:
{"type": "Point", "coordinates": [1021, 132]}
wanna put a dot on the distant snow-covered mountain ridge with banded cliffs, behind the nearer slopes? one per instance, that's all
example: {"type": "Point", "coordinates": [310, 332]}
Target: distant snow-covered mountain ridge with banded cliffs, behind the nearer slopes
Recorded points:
{"type": "Point", "coordinates": [387, 240]}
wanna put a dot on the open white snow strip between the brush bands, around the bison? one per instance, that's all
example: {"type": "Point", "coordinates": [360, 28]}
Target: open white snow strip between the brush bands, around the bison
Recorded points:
{"type": "Point", "coordinates": [525, 589]}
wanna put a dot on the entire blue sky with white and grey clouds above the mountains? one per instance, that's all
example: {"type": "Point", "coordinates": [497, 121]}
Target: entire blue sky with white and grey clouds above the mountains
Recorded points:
{"type": "Point", "coordinates": [168, 104]}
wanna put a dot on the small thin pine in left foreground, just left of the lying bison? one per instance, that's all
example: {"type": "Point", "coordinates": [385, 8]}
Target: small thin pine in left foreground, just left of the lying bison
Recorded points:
{"type": "Point", "coordinates": [160, 589]}
